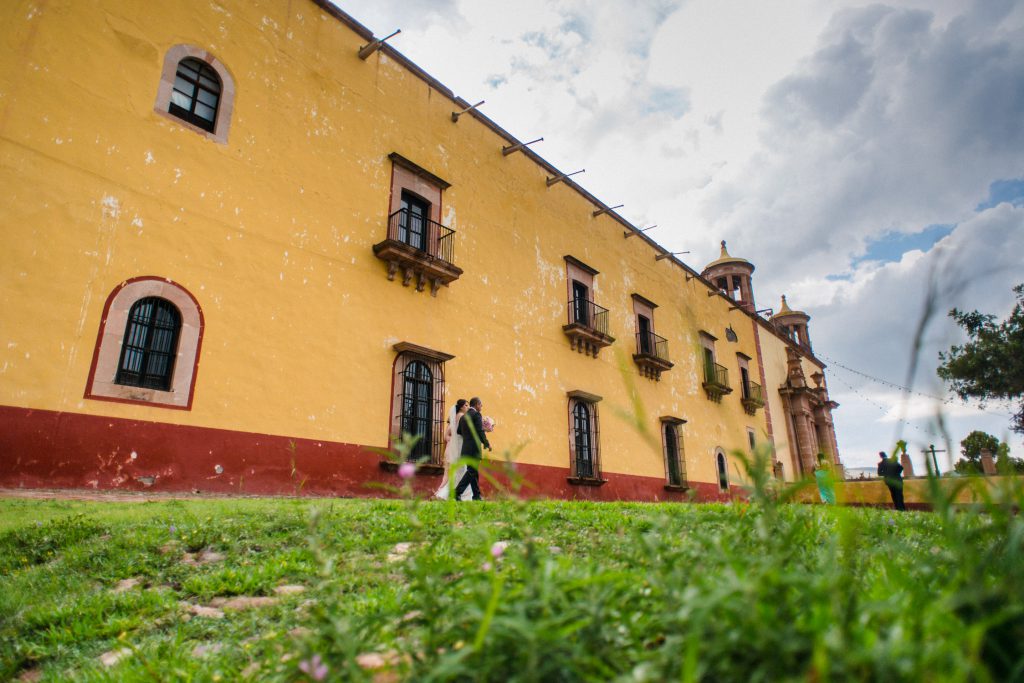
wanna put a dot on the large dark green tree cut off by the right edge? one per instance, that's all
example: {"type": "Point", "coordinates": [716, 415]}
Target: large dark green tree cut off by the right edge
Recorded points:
{"type": "Point", "coordinates": [991, 366]}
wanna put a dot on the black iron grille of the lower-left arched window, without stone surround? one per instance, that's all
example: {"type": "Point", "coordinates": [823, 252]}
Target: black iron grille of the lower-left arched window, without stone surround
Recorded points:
{"type": "Point", "coordinates": [150, 345]}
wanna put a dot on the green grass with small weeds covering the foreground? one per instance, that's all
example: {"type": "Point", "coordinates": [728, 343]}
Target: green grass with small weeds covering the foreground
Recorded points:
{"type": "Point", "coordinates": [630, 592]}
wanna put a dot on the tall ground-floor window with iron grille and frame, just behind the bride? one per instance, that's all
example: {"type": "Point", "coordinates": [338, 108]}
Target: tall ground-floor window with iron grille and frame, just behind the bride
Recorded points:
{"type": "Point", "coordinates": [418, 409]}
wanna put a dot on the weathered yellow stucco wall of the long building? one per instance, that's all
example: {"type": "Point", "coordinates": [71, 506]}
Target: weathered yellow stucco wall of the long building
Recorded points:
{"type": "Point", "coordinates": [273, 234]}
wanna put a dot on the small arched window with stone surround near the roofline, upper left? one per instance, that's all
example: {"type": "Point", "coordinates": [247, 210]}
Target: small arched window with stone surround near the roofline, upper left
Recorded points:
{"type": "Point", "coordinates": [197, 92]}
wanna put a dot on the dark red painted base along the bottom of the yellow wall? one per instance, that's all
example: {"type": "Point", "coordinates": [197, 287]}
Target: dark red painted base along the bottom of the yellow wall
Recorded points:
{"type": "Point", "coordinates": [51, 450]}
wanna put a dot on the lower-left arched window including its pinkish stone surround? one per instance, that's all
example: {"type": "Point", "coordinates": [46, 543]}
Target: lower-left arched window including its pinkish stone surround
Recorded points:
{"type": "Point", "coordinates": [151, 333]}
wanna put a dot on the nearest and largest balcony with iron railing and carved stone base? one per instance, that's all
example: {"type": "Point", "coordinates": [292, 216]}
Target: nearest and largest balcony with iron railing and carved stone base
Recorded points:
{"type": "Point", "coordinates": [420, 248]}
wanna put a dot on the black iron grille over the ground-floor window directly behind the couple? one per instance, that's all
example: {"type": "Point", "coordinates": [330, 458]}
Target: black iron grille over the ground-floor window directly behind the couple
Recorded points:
{"type": "Point", "coordinates": [421, 405]}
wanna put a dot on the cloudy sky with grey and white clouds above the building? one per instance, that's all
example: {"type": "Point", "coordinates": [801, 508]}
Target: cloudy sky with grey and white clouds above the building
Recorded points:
{"type": "Point", "coordinates": [868, 158]}
